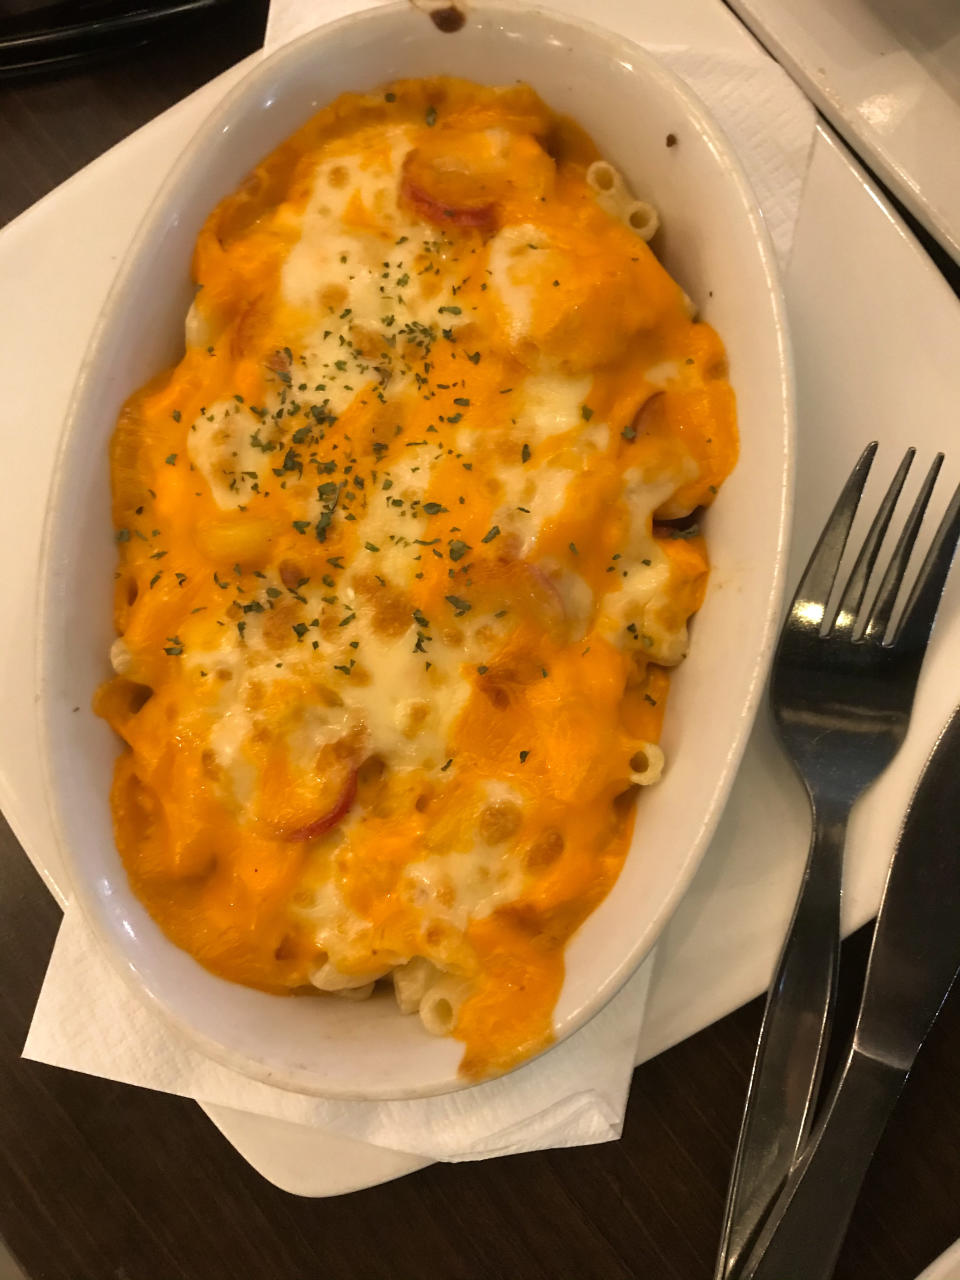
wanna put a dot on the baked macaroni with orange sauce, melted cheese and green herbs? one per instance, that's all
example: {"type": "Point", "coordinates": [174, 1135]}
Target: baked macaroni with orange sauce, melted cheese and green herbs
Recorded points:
{"type": "Point", "coordinates": [408, 548]}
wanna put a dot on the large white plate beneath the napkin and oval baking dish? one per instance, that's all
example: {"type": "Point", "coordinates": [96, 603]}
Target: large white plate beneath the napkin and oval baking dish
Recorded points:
{"type": "Point", "coordinates": [876, 332]}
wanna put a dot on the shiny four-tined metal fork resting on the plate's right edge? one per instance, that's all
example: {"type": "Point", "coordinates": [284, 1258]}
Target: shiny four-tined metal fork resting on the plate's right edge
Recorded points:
{"type": "Point", "coordinates": [842, 693]}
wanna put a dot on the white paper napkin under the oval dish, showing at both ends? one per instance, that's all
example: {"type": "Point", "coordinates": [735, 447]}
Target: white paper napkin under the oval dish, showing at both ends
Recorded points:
{"type": "Point", "coordinates": [88, 1018]}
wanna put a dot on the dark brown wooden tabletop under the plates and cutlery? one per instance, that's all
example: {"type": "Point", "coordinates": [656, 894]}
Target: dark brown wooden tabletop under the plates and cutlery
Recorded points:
{"type": "Point", "coordinates": [102, 1182]}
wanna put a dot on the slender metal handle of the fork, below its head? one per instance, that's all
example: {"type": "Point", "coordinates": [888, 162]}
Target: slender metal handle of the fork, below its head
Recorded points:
{"type": "Point", "coordinates": [789, 1059]}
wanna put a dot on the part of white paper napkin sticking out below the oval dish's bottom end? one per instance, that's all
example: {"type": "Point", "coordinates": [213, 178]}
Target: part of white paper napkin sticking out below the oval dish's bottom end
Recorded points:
{"type": "Point", "coordinates": [89, 1021]}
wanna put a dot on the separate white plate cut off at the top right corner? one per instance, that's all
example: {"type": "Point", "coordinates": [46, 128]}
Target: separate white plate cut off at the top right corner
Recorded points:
{"type": "Point", "coordinates": [888, 75]}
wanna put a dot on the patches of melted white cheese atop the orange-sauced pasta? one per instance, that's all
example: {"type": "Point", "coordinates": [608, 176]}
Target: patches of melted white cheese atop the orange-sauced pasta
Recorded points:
{"type": "Point", "coordinates": [351, 292]}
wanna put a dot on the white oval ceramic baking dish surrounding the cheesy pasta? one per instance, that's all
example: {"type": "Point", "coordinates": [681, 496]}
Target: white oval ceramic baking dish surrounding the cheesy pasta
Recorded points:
{"type": "Point", "coordinates": [714, 243]}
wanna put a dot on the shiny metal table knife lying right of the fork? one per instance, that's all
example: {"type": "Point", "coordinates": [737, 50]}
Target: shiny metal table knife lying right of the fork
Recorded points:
{"type": "Point", "coordinates": [915, 959]}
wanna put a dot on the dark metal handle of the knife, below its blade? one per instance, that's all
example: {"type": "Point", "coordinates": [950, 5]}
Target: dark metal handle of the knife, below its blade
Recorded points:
{"type": "Point", "coordinates": [802, 1241]}
